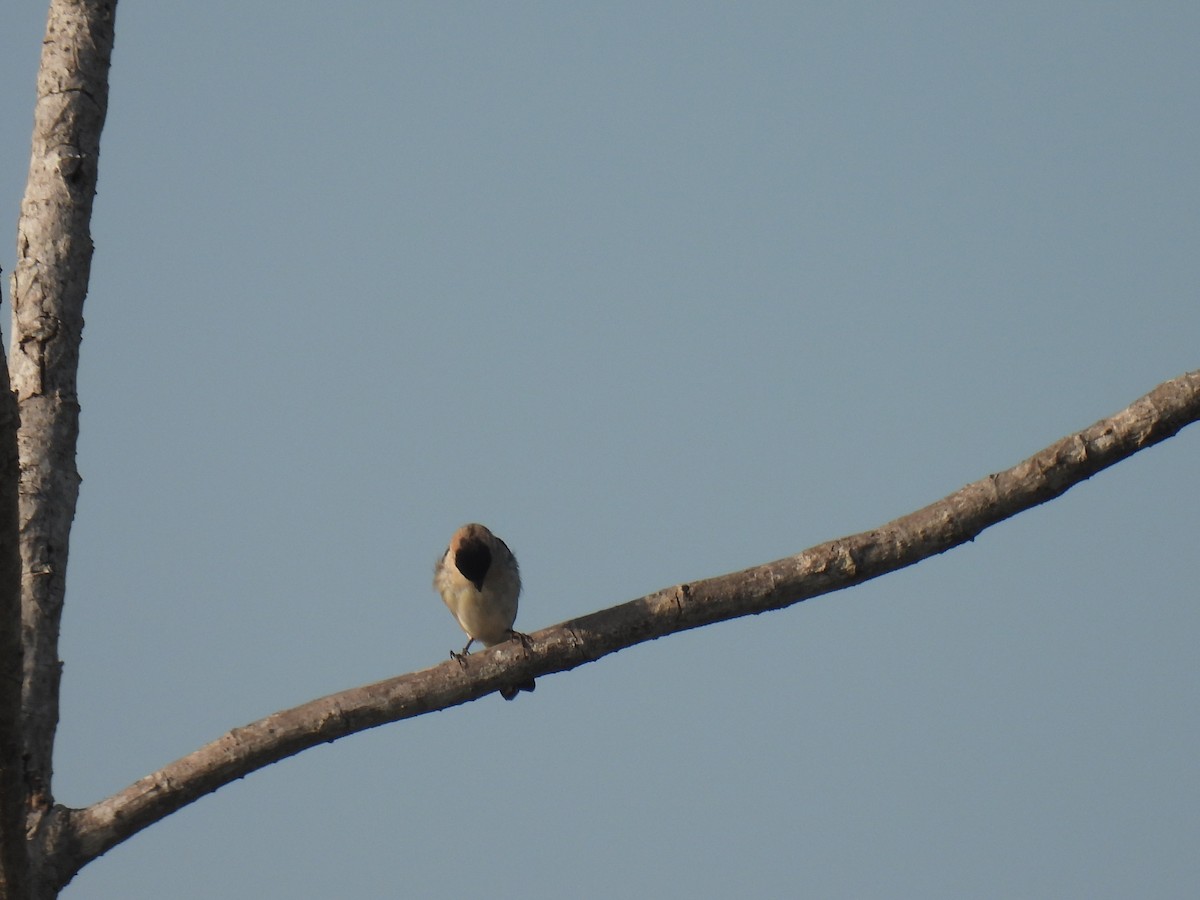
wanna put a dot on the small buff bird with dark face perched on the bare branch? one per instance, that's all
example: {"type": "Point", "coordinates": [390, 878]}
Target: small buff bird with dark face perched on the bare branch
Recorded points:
{"type": "Point", "coordinates": [479, 581]}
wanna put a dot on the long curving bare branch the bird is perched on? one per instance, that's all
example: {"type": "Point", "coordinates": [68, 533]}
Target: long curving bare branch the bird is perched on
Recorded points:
{"type": "Point", "coordinates": [830, 567]}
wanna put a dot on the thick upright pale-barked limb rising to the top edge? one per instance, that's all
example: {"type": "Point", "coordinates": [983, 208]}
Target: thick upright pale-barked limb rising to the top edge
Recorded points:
{"type": "Point", "coordinates": [49, 289]}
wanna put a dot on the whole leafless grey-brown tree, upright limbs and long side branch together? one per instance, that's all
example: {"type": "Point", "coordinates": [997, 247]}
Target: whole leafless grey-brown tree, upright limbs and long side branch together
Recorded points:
{"type": "Point", "coordinates": [43, 845]}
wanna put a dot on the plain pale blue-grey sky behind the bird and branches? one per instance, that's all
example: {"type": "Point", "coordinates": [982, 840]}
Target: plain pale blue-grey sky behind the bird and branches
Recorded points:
{"type": "Point", "coordinates": [658, 292]}
